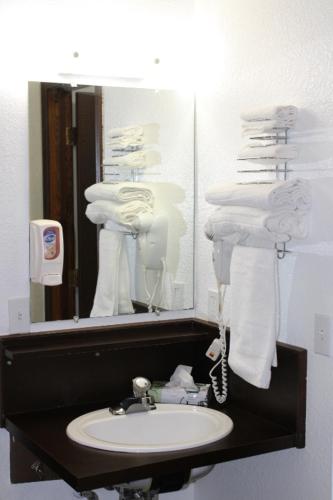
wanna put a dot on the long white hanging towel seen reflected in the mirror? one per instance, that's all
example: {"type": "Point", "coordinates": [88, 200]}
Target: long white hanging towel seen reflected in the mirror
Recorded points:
{"type": "Point", "coordinates": [112, 294]}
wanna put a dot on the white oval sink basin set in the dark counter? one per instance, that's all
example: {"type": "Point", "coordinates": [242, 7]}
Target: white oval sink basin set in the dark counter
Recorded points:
{"type": "Point", "coordinates": [170, 427]}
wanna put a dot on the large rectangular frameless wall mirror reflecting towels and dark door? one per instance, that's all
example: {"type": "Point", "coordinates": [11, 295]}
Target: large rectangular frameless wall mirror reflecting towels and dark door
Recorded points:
{"type": "Point", "coordinates": [115, 166]}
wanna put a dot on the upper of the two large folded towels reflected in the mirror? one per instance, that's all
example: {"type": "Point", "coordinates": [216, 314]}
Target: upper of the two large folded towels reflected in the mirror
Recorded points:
{"type": "Point", "coordinates": [120, 192]}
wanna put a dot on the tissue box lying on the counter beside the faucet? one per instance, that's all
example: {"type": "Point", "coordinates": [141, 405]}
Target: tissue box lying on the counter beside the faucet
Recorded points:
{"type": "Point", "coordinates": [179, 395]}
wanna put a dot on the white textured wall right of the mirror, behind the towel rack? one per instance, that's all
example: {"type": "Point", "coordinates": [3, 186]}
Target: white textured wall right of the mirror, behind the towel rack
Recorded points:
{"type": "Point", "coordinates": [270, 53]}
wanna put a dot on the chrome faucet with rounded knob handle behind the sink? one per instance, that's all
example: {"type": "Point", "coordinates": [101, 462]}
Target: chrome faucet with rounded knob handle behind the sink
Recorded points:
{"type": "Point", "coordinates": [140, 401]}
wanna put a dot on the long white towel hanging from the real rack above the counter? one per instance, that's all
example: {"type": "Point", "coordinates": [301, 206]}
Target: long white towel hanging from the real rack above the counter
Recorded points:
{"type": "Point", "coordinates": [254, 316]}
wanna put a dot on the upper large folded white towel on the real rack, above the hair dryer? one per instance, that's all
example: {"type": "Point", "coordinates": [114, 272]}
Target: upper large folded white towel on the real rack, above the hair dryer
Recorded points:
{"type": "Point", "coordinates": [292, 194]}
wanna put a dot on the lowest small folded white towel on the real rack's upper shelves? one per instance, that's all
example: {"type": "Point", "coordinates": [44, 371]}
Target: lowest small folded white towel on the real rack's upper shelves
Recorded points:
{"type": "Point", "coordinates": [269, 154]}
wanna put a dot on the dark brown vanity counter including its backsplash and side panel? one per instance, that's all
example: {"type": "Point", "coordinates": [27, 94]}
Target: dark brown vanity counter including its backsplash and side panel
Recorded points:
{"type": "Point", "coordinates": [54, 390]}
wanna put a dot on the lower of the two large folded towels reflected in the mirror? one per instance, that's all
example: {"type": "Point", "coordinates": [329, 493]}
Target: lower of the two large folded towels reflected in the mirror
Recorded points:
{"type": "Point", "coordinates": [100, 211]}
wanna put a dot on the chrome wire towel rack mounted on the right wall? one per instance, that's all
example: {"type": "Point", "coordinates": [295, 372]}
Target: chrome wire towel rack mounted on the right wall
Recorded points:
{"type": "Point", "coordinates": [281, 167]}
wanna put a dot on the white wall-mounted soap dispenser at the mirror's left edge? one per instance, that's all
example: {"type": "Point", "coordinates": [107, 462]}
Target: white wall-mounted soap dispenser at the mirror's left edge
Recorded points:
{"type": "Point", "coordinates": [46, 252]}
